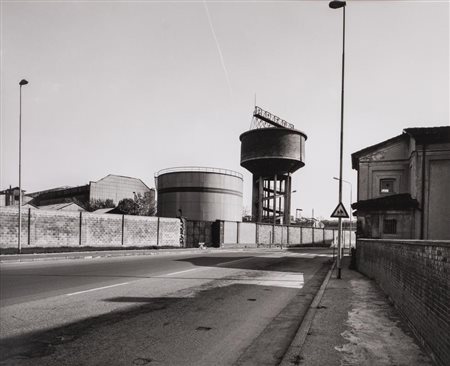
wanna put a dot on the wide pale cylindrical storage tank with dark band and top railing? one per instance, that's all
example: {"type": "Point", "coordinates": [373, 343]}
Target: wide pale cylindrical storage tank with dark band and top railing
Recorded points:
{"type": "Point", "coordinates": [204, 194]}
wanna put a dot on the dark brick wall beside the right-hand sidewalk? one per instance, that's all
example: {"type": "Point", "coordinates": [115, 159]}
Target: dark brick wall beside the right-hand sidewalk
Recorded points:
{"type": "Point", "coordinates": [416, 276]}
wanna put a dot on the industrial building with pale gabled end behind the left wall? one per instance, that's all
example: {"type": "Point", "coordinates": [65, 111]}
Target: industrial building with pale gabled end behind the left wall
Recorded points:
{"type": "Point", "coordinates": [112, 187]}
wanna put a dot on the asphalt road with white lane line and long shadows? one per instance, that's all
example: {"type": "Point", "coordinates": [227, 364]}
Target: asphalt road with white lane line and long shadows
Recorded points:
{"type": "Point", "coordinates": [221, 308]}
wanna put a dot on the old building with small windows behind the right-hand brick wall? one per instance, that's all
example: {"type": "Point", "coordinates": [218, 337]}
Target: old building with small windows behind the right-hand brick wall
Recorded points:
{"type": "Point", "coordinates": [403, 186]}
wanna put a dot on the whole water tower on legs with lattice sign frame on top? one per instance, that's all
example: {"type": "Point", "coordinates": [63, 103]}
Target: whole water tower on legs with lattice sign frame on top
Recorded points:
{"type": "Point", "coordinates": [272, 150]}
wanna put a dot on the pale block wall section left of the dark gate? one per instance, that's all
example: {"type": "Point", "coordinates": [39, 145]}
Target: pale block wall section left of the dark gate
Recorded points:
{"type": "Point", "coordinates": [41, 228]}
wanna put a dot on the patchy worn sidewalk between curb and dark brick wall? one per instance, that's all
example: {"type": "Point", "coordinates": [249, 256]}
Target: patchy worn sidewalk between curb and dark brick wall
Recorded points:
{"type": "Point", "coordinates": [354, 324]}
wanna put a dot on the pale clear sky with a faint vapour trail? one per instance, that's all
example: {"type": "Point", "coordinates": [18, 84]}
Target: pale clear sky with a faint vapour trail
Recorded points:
{"type": "Point", "coordinates": [133, 87]}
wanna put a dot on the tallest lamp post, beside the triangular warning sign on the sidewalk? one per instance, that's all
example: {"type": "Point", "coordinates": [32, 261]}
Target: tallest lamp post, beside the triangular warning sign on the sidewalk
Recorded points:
{"type": "Point", "coordinates": [337, 4]}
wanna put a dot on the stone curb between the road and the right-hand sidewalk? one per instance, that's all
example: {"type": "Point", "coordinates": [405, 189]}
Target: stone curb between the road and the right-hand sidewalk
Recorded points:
{"type": "Point", "coordinates": [291, 357]}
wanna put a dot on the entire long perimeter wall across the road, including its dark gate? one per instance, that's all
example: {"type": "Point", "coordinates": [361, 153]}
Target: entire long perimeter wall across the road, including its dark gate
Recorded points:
{"type": "Point", "coordinates": [41, 228]}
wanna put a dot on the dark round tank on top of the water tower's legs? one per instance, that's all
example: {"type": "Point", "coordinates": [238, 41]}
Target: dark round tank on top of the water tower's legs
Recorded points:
{"type": "Point", "coordinates": [270, 151]}
